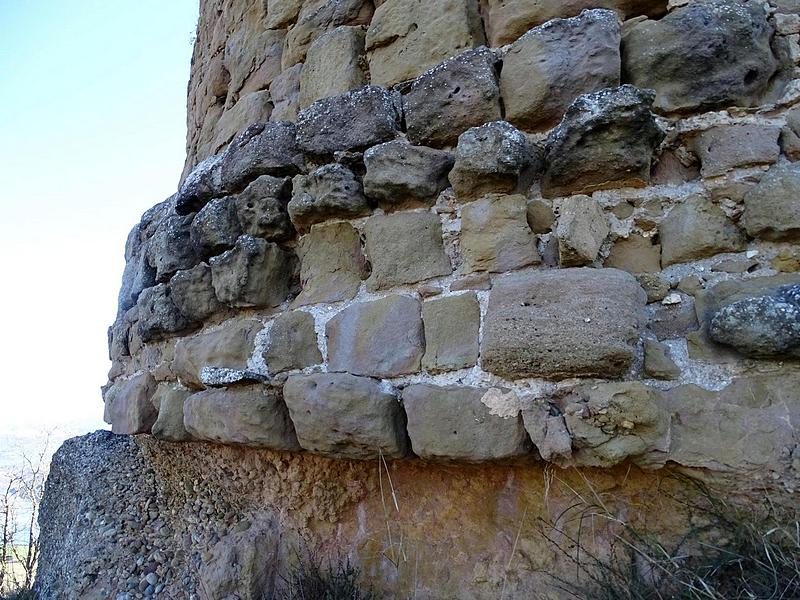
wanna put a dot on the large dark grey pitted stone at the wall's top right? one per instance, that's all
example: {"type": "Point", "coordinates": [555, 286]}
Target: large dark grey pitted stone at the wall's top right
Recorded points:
{"type": "Point", "coordinates": [705, 55]}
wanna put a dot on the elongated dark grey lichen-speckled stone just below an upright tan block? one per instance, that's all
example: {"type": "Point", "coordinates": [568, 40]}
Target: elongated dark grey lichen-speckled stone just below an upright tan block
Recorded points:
{"type": "Point", "coordinates": [352, 121]}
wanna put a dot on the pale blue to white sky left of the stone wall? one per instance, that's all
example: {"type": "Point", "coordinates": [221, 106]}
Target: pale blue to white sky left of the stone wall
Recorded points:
{"type": "Point", "coordinates": [92, 133]}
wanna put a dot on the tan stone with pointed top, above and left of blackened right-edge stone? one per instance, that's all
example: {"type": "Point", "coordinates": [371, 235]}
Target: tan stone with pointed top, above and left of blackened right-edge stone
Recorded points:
{"type": "Point", "coordinates": [697, 229]}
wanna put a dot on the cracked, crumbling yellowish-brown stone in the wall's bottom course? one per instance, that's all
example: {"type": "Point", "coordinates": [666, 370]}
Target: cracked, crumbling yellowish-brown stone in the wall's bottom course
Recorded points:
{"type": "Point", "coordinates": [612, 422]}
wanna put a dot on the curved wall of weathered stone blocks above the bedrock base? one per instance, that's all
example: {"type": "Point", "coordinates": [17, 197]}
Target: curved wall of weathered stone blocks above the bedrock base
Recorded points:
{"type": "Point", "coordinates": [579, 246]}
